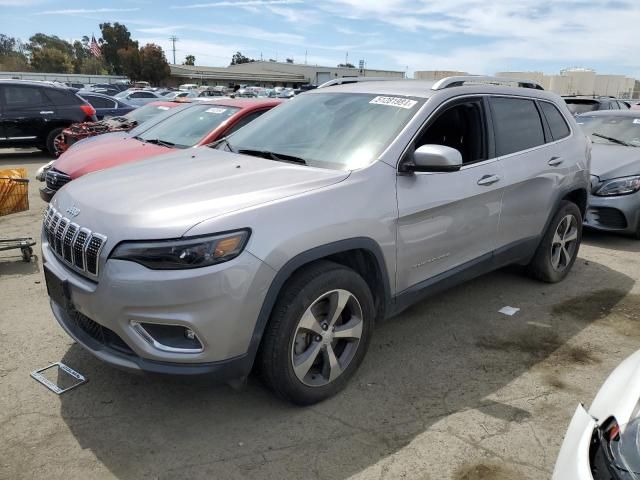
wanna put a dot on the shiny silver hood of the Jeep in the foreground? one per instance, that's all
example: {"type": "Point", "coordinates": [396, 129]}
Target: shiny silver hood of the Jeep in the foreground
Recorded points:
{"type": "Point", "coordinates": [164, 197]}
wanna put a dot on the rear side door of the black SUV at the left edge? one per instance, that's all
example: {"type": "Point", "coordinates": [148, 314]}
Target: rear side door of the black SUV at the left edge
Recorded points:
{"type": "Point", "coordinates": [25, 115]}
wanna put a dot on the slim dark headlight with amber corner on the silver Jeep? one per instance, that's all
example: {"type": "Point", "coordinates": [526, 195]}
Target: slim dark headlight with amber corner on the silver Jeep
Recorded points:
{"type": "Point", "coordinates": [183, 253]}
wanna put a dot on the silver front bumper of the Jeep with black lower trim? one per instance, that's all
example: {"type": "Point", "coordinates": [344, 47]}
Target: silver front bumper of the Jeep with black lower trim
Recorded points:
{"type": "Point", "coordinates": [219, 303]}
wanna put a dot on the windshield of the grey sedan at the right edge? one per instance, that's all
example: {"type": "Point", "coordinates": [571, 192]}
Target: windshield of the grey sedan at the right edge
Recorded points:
{"type": "Point", "coordinates": [624, 129]}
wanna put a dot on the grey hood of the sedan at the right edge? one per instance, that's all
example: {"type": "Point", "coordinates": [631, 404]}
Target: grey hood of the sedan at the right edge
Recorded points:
{"type": "Point", "coordinates": [614, 161]}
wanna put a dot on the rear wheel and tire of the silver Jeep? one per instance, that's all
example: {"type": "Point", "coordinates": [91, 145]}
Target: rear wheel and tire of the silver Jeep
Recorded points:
{"type": "Point", "coordinates": [559, 247]}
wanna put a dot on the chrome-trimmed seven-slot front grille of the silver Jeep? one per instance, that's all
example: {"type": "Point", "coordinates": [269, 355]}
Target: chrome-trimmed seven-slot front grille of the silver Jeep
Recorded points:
{"type": "Point", "coordinates": [76, 246]}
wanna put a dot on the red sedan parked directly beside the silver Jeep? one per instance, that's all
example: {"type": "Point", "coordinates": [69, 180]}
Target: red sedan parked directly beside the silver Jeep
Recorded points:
{"type": "Point", "coordinates": [198, 124]}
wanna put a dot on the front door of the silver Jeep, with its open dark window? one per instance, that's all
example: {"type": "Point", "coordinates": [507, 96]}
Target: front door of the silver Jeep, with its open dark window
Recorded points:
{"type": "Point", "coordinates": [448, 220]}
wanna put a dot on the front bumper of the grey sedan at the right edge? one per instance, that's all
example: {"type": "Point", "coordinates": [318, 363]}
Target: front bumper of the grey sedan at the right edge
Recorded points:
{"type": "Point", "coordinates": [614, 214]}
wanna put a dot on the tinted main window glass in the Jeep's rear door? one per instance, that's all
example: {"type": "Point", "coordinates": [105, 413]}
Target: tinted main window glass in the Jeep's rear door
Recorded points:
{"type": "Point", "coordinates": [517, 125]}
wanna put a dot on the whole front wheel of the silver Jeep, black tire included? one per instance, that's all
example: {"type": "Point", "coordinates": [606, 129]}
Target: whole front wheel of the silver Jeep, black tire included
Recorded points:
{"type": "Point", "coordinates": [318, 334]}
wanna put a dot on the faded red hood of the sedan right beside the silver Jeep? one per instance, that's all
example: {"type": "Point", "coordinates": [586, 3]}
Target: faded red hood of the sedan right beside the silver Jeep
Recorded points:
{"type": "Point", "coordinates": [104, 153]}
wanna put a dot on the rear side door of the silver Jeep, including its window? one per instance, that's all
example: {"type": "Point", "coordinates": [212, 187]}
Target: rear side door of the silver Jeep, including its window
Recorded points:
{"type": "Point", "coordinates": [535, 164]}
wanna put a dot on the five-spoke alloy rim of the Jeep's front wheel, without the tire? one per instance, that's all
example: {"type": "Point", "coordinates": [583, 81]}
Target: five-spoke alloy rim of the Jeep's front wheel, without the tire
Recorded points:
{"type": "Point", "coordinates": [327, 338]}
